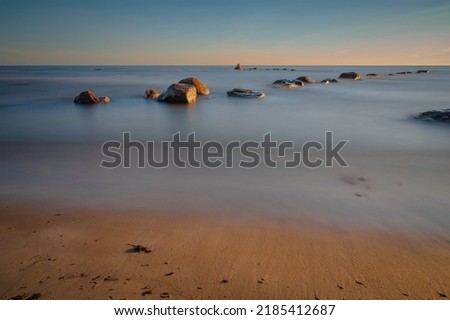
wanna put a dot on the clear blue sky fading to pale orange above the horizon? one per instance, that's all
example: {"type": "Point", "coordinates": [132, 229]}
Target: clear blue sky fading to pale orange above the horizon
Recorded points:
{"type": "Point", "coordinates": [194, 32]}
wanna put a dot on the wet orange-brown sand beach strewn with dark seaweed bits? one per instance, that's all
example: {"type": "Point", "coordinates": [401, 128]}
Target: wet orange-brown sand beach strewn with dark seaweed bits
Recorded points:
{"type": "Point", "coordinates": [50, 252]}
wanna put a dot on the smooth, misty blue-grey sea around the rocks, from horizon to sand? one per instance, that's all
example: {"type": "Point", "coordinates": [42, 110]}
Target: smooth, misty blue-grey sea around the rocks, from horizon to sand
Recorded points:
{"type": "Point", "coordinates": [50, 147]}
